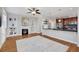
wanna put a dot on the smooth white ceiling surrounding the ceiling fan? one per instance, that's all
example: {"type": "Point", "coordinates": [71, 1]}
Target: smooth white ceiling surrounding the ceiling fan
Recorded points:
{"type": "Point", "coordinates": [46, 12]}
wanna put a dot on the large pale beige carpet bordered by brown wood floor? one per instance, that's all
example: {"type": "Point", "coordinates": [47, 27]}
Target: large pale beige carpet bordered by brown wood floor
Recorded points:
{"type": "Point", "coordinates": [39, 44]}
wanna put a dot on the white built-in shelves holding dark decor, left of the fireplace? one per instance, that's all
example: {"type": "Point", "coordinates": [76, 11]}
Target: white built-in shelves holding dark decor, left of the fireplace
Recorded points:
{"type": "Point", "coordinates": [12, 26]}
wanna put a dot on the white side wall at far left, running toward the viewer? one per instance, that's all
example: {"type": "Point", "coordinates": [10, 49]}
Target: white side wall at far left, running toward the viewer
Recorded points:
{"type": "Point", "coordinates": [3, 27]}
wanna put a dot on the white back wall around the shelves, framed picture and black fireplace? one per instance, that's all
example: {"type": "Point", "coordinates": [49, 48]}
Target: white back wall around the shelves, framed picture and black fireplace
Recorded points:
{"type": "Point", "coordinates": [34, 23]}
